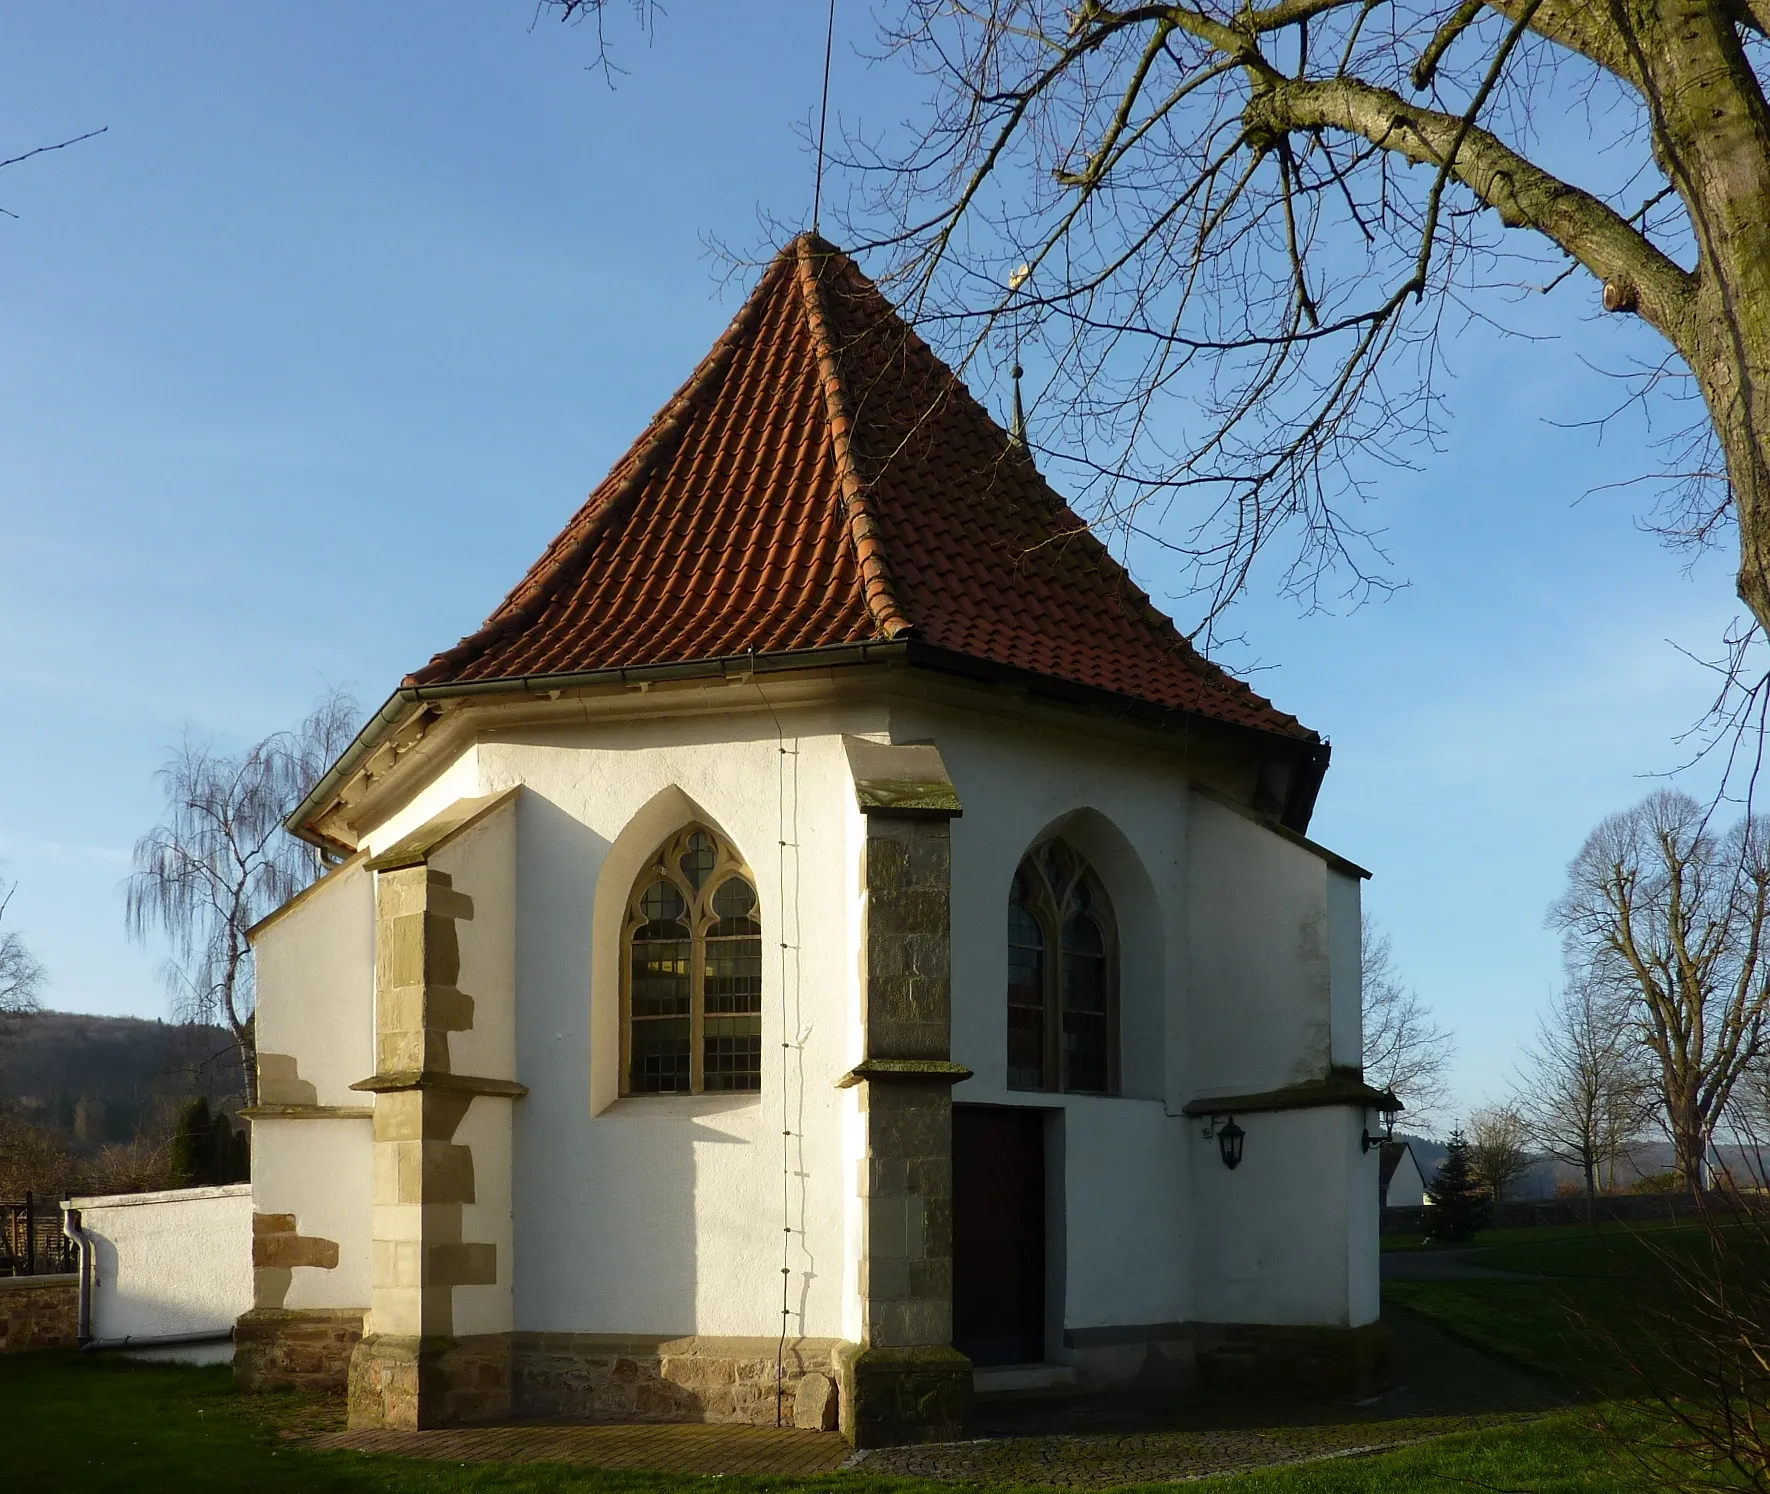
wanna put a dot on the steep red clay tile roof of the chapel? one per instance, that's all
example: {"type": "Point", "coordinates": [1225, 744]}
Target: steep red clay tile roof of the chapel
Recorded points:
{"type": "Point", "coordinates": [824, 479]}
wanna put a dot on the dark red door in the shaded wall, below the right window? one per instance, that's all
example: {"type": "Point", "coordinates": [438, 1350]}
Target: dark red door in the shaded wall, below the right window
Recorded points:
{"type": "Point", "coordinates": [999, 1235]}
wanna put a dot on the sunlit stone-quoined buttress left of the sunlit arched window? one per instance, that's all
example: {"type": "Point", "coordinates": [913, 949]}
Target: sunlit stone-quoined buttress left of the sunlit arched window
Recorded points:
{"type": "Point", "coordinates": [442, 1137]}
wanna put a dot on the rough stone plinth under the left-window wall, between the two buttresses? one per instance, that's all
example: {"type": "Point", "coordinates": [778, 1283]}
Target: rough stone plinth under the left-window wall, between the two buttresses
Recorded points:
{"type": "Point", "coordinates": [629, 1378]}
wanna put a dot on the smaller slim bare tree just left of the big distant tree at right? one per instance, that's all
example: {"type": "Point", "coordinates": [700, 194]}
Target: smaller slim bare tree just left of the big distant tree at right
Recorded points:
{"type": "Point", "coordinates": [1585, 1091]}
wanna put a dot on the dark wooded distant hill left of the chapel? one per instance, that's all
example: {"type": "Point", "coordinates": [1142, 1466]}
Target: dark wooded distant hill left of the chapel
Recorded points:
{"type": "Point", "coordinates": [96, 1079]}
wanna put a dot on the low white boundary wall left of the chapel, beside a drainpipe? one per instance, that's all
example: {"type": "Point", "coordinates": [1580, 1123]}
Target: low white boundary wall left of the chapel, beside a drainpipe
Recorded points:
{"type": "Point", "coordinates": [169, 1265]}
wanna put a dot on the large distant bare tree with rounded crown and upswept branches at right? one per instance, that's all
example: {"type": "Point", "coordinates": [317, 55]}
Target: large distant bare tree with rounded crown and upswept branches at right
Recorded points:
{"type": "Point", "coordinates": [1672, 918]}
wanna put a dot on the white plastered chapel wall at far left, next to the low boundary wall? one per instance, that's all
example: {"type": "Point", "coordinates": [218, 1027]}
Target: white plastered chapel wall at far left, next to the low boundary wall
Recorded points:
{"type": "Point", "coordinates": [316, 973]}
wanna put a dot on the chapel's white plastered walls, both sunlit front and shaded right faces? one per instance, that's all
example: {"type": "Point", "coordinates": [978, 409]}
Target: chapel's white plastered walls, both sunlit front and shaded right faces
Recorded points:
{"type": "Point", "coordinates": [666, 1215]}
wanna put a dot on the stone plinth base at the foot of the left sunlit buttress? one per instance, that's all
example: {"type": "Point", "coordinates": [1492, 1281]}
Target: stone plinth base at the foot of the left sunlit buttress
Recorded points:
{"type": "Point", "coordinates": [415, 1383]}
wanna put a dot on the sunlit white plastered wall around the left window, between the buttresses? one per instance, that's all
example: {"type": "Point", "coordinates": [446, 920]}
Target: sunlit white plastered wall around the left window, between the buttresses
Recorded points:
{"type": "Point", "coordinates": [668, 1215]}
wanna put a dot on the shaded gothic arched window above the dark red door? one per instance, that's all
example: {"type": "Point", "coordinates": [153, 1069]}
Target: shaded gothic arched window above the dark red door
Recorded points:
{"type": "Point", "coordinates": [1063, 976]}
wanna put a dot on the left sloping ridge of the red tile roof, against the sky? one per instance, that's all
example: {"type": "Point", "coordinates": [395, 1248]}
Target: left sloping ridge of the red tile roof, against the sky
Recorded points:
{"type": "Point", "coordinates": [532, 596]}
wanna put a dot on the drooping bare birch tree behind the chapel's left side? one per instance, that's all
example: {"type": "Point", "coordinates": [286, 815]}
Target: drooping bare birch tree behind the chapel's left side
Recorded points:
{"type": "Point", "coordinates": [222, 861]}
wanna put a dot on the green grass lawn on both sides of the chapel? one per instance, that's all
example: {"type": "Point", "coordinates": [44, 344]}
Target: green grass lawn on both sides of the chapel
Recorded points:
{"type": "Point", "coordinates": [109, 1424]}
